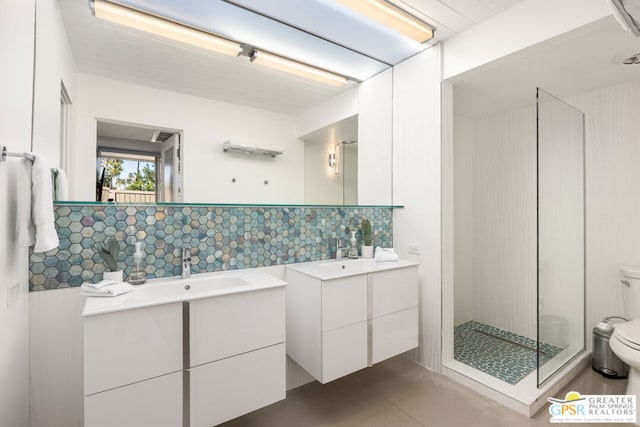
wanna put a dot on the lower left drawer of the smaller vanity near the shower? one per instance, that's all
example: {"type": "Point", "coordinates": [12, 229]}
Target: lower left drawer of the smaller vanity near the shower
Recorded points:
{"type": "Point", "coordinates": [344, 350]}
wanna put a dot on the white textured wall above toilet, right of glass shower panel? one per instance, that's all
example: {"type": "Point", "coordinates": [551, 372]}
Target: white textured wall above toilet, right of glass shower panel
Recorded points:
{"type": "Point", "coordinates": [612, 197]}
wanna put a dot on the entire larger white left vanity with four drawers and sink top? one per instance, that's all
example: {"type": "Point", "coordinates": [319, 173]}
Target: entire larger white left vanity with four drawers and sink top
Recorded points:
{"type": "Point", "coordinates": [185, 352]}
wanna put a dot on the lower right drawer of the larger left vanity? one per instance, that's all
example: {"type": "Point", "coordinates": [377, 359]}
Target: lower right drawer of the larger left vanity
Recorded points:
{"type": "Point", "coordinates": [229, 388]}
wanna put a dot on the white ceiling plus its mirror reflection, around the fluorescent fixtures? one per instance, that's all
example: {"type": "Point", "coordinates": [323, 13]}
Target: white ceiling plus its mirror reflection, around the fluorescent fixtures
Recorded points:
{"type": "Point", "coordinates": [332, 38]}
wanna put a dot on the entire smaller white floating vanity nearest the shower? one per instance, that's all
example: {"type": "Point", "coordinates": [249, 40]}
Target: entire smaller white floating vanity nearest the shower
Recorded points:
{"type": "Point", "coordinates": [343, 316]}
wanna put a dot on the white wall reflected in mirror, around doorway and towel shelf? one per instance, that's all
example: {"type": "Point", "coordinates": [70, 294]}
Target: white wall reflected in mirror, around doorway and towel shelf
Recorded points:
{"type": "Point", "coordinates": [206, 124]}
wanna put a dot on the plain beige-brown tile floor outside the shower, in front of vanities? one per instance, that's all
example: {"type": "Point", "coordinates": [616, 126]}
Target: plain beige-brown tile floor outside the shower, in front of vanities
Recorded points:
{"type": "Point", "coordinates": [399, 392]}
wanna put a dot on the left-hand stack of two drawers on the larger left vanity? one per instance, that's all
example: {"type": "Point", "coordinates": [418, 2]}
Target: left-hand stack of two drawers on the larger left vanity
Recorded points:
{"type": "Point", "coordinates": [133, 367]}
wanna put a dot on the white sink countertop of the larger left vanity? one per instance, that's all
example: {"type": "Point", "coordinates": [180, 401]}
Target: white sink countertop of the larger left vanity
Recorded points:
{"type": "Point", "coordinates": [170, 290]}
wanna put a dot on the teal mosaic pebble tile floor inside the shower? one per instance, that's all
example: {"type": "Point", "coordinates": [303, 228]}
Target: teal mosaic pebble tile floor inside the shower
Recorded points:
{"type": "Point", "coordinates": [507, 356]}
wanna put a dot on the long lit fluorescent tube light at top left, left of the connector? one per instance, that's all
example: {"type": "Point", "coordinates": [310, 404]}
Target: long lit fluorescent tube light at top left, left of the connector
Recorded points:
{"type": "Point", "coordinates": [161, 27]}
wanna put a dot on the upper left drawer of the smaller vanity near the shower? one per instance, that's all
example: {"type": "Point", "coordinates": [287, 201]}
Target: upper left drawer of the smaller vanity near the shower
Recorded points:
{"type": "Point", "coordinates": [344, 302]}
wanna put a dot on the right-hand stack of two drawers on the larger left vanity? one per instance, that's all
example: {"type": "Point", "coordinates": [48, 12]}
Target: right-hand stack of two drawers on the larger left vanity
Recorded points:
{"type": "Point", "coordinates": [236, 355]}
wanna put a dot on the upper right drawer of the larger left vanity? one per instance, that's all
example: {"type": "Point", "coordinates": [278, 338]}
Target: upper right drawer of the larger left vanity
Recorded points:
{"type": "Point", "coordinates": [228, 325]}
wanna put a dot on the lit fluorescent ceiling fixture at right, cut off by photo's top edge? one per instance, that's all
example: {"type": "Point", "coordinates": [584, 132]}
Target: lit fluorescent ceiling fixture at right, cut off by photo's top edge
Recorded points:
{"type": "Point", "coordinates": [393, 17]}
